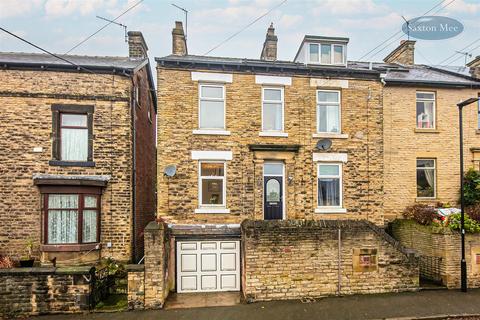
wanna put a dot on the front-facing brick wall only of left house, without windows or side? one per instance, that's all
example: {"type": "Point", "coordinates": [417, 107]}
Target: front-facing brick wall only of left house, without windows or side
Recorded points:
{"type": "Point", "coordinates": [25, 99]}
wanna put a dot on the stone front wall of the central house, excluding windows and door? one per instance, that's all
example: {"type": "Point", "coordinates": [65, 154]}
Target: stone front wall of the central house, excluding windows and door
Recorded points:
{"type": "Point", "coordinates": [361, 120]}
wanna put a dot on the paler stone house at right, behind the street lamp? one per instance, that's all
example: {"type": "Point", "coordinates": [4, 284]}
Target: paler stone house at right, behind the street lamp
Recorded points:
{"type": "Point", "coordinates": [421, 130]}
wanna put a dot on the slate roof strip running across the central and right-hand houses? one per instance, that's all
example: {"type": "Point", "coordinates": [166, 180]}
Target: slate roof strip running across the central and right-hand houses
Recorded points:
{"type": "Point", "coordinates": [395, 73]}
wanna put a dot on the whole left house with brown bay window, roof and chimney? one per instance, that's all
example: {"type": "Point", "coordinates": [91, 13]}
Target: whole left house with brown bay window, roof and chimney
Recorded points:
{"type": "Point", "coordinates": [78, 155]}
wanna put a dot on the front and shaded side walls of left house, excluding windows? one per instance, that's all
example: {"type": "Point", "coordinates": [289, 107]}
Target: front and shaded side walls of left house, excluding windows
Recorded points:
{"type": "Point", "coordinates": [26, 97]}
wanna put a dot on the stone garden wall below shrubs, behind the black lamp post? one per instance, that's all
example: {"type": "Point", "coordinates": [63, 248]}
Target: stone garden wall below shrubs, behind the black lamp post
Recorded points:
{"type": "Point", "coordinates": [444, 245]}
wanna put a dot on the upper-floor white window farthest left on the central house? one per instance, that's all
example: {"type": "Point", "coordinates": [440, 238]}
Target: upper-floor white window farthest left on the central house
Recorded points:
{"type": "Point", "coordinates": [211, 106]}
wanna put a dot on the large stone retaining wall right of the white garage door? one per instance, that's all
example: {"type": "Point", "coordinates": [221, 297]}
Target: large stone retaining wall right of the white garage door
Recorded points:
{"type": "Point", "coordinates": [297, 259]}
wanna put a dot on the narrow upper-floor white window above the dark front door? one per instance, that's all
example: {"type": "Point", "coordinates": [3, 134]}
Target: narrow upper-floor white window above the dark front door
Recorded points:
{"type": "Point", "coordinates": [272, 109]}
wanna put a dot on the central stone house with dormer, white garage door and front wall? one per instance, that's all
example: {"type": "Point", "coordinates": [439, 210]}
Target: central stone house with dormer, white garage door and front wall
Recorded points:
{"type": "Point", "coordinates": [243, 140]}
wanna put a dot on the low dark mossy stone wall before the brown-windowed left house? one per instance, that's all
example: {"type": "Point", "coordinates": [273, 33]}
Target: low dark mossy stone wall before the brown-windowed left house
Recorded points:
{"type": "Point", "coordinates": [35, 291]}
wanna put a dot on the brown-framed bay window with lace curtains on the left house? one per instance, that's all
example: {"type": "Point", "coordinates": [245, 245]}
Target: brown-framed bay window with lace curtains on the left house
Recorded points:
{"type": "Point", "coordinates": [71, 218]}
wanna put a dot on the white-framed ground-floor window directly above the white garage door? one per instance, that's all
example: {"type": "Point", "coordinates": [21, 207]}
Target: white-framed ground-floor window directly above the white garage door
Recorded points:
{"type": "Point", "coordinates": [212, 190]}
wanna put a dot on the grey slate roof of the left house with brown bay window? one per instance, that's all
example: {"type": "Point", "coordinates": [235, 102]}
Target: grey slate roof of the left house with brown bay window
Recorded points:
{"type": "Point", "coordinates": [22, 59]}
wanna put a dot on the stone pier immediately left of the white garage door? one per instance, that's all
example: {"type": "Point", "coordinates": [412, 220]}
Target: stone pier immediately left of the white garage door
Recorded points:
{"type": "Point", "coordinates": [149, 284]}
